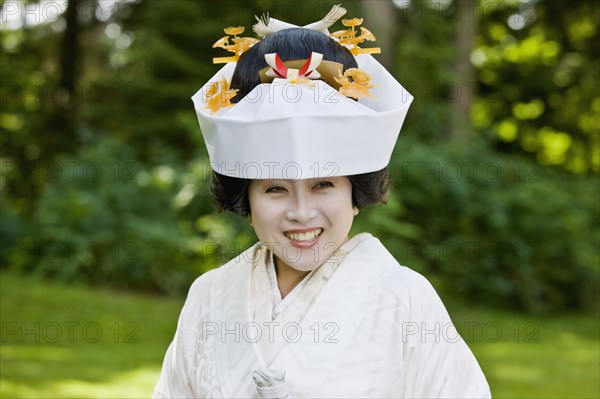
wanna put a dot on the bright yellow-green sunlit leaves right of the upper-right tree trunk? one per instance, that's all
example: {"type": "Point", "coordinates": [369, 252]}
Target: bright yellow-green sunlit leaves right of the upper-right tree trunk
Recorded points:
{"type": "Point", "coordinates": [552, 110]}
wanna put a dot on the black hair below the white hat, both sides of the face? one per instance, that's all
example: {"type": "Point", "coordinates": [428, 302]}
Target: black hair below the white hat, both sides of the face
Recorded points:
{"type": "Point", "coordinates": [231, 193]}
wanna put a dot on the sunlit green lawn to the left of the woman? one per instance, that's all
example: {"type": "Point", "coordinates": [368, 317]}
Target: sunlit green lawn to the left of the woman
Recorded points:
{"type": "Point", "coordinates": [46, 354]}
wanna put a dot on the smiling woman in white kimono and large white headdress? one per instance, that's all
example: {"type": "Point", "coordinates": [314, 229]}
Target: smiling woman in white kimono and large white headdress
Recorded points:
{"type": "Point", "coordinates": [307, 311]}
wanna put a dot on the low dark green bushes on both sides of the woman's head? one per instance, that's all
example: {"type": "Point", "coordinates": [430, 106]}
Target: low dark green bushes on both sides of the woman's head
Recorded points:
{"type": "Point", "coordinates": [485, 227]}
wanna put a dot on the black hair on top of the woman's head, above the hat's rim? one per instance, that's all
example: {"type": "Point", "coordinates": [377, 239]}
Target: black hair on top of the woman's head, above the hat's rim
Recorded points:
{"type": "Point", "coordinates": [289, 44]}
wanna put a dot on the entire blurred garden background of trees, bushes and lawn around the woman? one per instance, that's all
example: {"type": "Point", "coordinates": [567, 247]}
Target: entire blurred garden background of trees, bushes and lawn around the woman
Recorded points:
{"type": "Point", "coordinates": [106, 217]}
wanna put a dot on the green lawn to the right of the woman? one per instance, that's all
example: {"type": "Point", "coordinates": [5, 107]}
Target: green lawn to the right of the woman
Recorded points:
{"type": "Point", "coordinates": [527, 356]}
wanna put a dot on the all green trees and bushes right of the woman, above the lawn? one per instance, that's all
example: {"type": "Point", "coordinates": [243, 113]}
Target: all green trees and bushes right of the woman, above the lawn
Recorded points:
{"type": "Point", "coordinates": [485, 216]}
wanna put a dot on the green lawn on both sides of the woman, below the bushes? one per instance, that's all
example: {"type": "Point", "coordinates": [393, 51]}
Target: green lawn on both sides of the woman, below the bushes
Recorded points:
{"type": "Point", "coordinates": [522, 356]}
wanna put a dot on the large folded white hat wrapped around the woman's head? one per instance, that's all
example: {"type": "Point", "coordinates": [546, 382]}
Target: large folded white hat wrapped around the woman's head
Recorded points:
{"type": "Point", "coordinates": [285, 130]}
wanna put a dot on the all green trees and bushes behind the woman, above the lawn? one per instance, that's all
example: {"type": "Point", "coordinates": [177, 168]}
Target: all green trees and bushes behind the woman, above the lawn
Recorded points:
{"type": "Point", "coordinates": [524, 239]}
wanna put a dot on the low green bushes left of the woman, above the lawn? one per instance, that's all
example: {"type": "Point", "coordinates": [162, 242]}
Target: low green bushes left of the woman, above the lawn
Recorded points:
{"type": "Point", "coordinates": [105, 218]}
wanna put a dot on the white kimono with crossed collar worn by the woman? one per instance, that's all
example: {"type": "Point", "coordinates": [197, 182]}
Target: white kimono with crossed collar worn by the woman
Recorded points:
{"type": "Point", "coordinates": [360, 326]}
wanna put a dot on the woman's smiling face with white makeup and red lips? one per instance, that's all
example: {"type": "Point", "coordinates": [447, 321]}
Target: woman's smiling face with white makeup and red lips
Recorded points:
{"type": "Point", "coordinates": [302, 221]}
